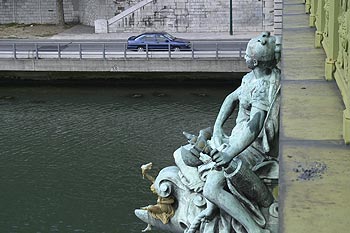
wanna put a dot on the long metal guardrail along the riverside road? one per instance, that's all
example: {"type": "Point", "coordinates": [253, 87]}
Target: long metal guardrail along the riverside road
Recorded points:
{"type": "Point", "coordinates": [118, 50]}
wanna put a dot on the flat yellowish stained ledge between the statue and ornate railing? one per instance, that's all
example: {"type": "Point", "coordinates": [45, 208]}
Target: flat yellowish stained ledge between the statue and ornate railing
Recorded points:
{"type": "Point", "coordinates": [315, 174]}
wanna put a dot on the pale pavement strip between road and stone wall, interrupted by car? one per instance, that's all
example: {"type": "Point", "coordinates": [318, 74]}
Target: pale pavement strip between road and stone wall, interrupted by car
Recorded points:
{"type": "Point", "coordinates": [82, 32]}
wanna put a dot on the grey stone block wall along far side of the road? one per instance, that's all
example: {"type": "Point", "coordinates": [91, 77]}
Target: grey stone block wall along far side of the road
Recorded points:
{"type": "Point", "coordinates": [167, 15]}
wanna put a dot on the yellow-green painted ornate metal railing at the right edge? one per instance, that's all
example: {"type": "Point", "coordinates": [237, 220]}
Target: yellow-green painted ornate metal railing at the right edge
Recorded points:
{"type": "Point", "coordinates": [332, 21]}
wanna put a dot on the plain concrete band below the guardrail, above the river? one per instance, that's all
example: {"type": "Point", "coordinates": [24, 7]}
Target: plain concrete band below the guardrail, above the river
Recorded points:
{"type": "Point", "coordinates": [152, 65]}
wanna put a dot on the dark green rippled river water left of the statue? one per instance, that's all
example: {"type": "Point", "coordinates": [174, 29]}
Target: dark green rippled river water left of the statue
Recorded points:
{"type": "Point", "coordinates": [70, 157]}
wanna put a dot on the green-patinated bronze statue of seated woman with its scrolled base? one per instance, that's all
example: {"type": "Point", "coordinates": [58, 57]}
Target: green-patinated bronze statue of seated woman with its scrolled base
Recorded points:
{"type": "Point", "coordinates": [224, 183]}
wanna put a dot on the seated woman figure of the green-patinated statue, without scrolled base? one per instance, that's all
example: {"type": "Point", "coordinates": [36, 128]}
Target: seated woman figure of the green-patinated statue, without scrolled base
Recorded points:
{"type": "Point", "coordinates": [251, 139]}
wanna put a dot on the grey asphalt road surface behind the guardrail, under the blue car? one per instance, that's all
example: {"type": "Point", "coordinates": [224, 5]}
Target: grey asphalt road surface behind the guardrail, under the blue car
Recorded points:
{"type": "Point", "coordinates": [103, 47]}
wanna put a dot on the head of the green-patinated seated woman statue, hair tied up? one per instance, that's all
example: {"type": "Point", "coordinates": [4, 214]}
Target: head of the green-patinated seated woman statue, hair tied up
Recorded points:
{"type": "Point", "coordinates": [264, 49]}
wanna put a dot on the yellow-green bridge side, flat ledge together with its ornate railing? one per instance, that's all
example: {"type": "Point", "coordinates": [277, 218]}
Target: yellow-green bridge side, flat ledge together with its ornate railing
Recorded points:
{"type": "Point", "coordinates": [314, 193]}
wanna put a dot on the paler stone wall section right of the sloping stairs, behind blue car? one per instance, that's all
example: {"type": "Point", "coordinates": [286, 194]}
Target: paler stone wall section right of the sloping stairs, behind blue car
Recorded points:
{"type": "Point", "coordinates": [196, 16]}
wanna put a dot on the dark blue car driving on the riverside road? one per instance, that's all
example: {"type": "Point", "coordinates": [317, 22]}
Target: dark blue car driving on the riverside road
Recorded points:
{"type": "Point", "coordinates": [157, 41]}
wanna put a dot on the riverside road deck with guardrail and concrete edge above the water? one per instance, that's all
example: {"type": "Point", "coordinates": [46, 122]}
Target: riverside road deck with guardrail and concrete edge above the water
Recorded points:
{"type": "Point", "coordinates": [68, 56]}
